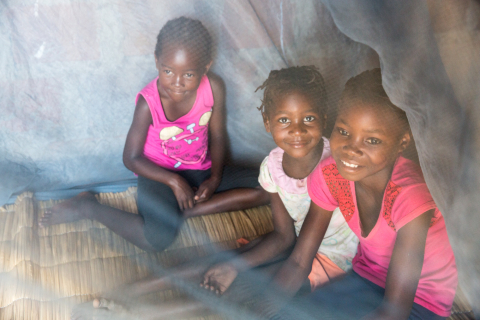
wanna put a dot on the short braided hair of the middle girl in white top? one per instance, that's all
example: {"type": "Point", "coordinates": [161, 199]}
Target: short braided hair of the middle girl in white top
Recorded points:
{"type": "Point", "coordinates": [305, 79]}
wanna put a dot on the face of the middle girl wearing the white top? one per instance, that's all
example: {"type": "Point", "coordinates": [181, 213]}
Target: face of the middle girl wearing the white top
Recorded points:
{"type": "Point", "coordinates": [295, 124]}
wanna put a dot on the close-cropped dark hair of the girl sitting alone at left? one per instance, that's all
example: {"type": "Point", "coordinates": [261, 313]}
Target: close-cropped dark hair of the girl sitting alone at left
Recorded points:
{"type": "Point", "coordinates": [187, 32]}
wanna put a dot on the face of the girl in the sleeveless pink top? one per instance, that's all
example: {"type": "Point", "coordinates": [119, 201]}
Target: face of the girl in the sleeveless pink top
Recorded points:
{"type": "Point", "coordinates": [180, 71]}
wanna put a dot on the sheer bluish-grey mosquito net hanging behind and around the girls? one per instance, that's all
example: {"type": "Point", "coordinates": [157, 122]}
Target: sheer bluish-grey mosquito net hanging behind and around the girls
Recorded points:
{"type": "Point", "coordinates": [71, 70]}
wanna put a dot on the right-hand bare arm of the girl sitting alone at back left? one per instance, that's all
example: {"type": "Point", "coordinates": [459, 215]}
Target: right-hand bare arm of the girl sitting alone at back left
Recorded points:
{"type": "Point", "coordinates": [217, 134]}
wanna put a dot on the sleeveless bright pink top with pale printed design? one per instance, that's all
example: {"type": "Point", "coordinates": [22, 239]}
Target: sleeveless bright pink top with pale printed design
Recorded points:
{"type": "Point", "coordinates": [183, 143]}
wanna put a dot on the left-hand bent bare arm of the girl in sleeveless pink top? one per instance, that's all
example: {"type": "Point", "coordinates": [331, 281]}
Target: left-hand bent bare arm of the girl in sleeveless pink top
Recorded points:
{"type": "Point", "coordinates": [135, 161]}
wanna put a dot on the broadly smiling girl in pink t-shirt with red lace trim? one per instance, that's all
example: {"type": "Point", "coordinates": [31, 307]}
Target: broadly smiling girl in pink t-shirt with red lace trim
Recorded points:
{"type": "Point", "coordinates": [404, 267]}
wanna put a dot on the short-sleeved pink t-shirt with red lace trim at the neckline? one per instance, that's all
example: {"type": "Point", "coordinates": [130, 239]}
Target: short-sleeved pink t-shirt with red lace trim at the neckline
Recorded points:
{"type": "Point", "coordinates": [406, 197]}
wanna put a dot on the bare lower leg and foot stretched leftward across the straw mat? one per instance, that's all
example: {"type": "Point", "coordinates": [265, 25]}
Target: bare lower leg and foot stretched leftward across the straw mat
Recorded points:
{"type": "Point", "coordinates": [85, 206]}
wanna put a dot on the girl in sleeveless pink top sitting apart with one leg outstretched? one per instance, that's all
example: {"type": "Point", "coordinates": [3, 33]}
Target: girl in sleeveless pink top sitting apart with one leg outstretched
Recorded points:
{"type": "Point", "coordinates": [176, 145]}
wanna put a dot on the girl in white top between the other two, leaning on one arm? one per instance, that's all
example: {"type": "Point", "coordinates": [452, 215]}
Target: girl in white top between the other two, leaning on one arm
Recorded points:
{"type": "Point", "coordinates": [294, 112]}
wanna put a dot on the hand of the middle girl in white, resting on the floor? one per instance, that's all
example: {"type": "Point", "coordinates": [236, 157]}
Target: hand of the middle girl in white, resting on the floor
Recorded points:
{"type": "Point", "coordinates": [219, 278]}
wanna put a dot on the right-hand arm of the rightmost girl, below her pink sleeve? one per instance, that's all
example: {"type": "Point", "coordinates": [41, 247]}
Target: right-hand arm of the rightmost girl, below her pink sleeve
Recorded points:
{"type": "Point", "coordinates": [404, 269]}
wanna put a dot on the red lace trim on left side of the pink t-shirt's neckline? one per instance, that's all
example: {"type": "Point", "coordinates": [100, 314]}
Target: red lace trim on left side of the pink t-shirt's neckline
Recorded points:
{"type": "Point", "coordinates": [340, 189]}
